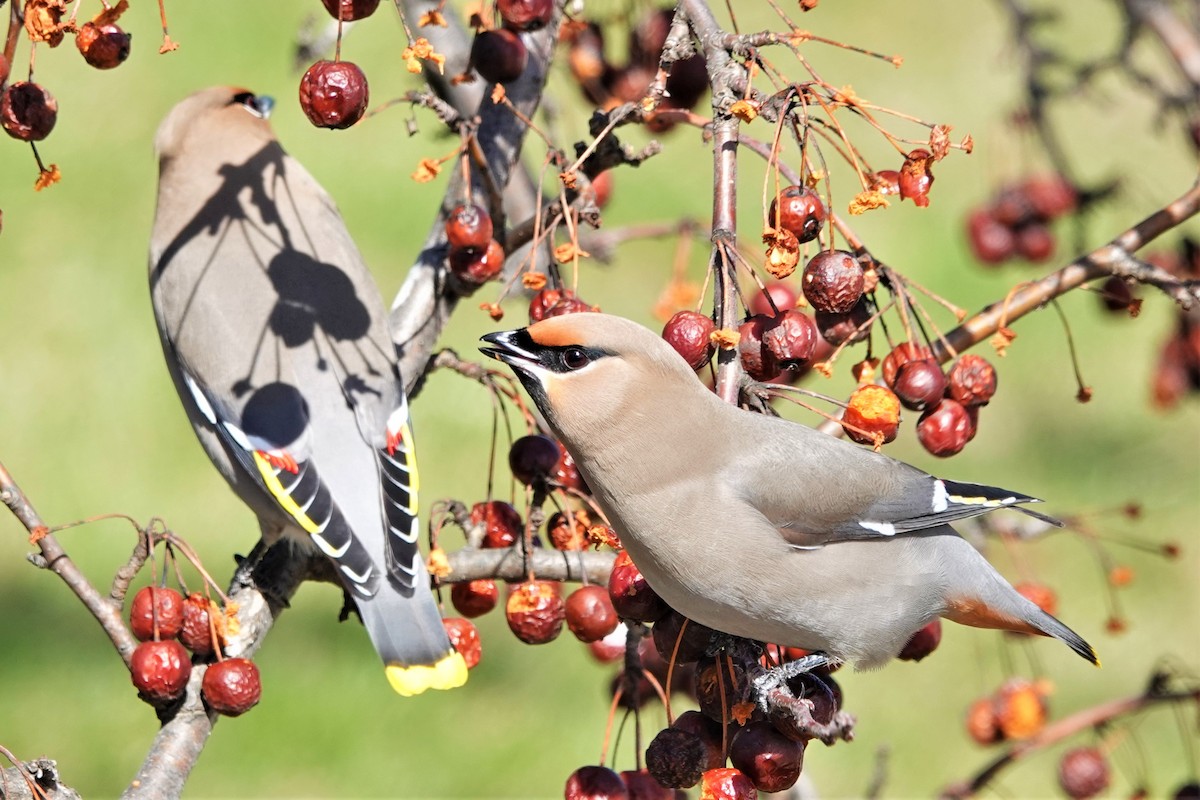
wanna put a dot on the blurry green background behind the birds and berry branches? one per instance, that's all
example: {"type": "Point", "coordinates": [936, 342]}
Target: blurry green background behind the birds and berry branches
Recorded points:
{"type": "Point", "coordinates": [89, 422]}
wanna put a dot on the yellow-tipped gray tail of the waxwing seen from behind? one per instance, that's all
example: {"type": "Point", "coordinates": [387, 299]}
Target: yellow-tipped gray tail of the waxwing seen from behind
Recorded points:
{"type": "Point", "coordinates": [407, 633]}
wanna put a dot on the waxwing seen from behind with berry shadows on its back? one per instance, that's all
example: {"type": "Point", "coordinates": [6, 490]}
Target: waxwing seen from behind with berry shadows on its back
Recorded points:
{"type": "Point", "coordinates": [275, 336]}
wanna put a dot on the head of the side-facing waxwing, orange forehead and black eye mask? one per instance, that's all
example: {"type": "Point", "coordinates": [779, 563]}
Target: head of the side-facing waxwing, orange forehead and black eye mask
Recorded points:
{"type": "Point", "coordinates": [590, 369]}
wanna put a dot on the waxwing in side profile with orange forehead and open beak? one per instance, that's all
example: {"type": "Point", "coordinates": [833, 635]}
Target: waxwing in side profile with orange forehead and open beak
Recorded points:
{"type": "Point", "coordinates": [753, 525]}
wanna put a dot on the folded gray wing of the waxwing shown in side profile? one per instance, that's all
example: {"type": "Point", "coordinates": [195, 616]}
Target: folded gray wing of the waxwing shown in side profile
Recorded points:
{"type": "Point", "coordinates": [818, 489]}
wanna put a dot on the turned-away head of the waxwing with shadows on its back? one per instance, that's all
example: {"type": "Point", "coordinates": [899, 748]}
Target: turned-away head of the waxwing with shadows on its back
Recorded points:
{"type": "Point", "coordinates": [219, 116]}
